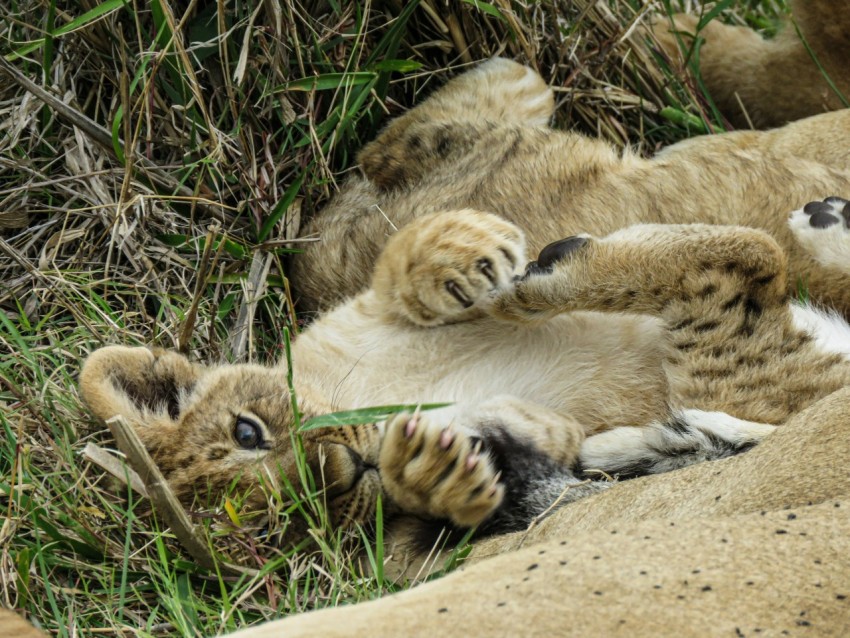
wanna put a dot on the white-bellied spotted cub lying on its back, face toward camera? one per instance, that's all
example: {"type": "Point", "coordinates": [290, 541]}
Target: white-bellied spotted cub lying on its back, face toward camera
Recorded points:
{"type": "Point", "coordinates": [638, 352]}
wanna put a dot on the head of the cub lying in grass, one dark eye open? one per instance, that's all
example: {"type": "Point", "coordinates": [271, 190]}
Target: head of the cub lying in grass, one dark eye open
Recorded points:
{"type": "Point", "coordinates": [213, 429]}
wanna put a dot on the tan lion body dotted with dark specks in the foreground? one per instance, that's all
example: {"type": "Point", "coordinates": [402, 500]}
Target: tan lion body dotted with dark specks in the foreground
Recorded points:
{"type": "Point", "coordinates": [755, 545]}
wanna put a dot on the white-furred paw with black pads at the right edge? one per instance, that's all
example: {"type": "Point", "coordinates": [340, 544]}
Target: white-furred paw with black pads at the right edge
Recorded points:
{"type": "Point", "coordinates": [823, 229]}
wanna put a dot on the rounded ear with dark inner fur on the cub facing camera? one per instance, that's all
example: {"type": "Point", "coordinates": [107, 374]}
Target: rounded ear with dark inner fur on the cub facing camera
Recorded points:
{"type": "Point", "coordinates": [146, 387]}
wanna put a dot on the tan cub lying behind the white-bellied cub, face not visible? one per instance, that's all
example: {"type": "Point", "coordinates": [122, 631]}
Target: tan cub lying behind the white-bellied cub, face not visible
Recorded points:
{"type": "Point", "coordinates": [482, 142]}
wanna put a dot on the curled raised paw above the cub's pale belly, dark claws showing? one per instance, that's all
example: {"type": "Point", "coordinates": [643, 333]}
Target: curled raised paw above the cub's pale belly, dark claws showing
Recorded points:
{"type": "Point", "coordinates": [447, 267]}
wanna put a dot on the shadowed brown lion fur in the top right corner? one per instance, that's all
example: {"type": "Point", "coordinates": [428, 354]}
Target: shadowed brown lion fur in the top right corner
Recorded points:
{"type": "Point", "coordinates": [784, 81]}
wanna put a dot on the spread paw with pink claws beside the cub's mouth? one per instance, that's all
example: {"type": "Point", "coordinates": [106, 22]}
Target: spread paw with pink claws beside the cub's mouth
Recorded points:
{"type": "Point", "coordinates": [438, 471]}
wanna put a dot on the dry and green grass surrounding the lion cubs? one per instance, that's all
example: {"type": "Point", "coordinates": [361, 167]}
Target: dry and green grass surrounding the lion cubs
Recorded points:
{"type": "Point", "coordinates": [155, 162]}
